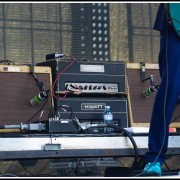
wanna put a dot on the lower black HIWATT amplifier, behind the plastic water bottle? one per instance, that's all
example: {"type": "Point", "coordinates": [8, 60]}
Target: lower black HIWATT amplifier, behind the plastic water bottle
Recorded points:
{"type": "Point", "coordinates": [90, 109]}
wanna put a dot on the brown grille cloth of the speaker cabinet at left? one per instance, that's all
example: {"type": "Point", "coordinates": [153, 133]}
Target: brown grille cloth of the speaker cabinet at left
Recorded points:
{"type": "Point", "coordinates": [17, 89]}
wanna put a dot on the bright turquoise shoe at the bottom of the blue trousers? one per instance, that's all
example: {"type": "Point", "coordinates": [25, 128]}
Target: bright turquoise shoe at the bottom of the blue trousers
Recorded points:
{"type": "Point", "coordinates": [153, 168]}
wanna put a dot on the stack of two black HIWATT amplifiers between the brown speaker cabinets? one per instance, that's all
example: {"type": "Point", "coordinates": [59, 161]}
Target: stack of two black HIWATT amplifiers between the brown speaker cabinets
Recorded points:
{"type": "Point", "coordinates": [88, 86]}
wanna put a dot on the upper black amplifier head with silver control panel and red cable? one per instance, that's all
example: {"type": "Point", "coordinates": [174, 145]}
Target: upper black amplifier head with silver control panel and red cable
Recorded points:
{"type": "Point", "coordinates": [87, 77]}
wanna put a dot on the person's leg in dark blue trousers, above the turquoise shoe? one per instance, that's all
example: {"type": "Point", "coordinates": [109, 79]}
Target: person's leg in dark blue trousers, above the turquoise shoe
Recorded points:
{"type": "Point", "coordinates": [165, 102]}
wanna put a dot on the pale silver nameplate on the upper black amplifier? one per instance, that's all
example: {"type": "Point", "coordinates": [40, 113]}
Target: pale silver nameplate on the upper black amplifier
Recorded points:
{"type": "Point", "coordinates": [91, 68]}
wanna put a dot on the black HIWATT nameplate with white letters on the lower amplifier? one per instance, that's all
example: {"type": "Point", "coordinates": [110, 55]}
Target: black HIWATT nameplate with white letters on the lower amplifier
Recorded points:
{"type": "Point", "coordinates": [92, 106]}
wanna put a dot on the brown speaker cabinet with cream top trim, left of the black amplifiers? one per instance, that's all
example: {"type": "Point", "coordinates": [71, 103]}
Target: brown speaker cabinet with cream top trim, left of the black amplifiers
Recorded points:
{"type": "Point", "coordinates": [18, 87]}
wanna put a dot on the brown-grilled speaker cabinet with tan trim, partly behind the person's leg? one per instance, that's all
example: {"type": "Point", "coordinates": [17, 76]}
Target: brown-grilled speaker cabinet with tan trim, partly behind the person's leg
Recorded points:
{"type": "Point", "coordinates": [140, 108]}
